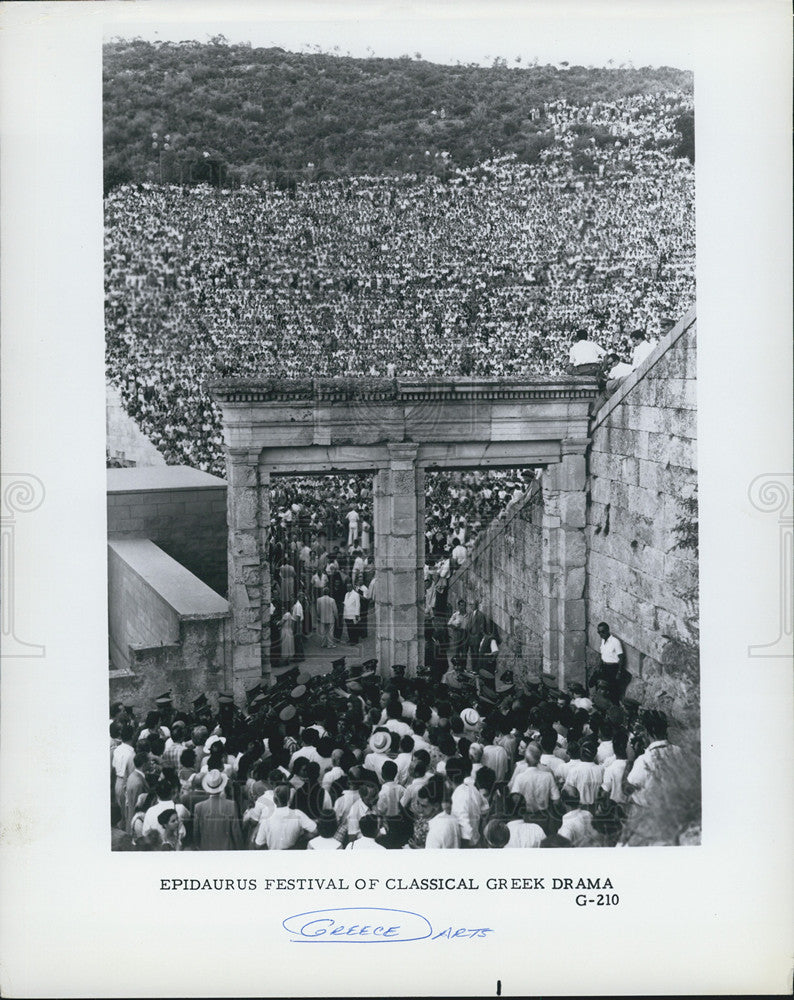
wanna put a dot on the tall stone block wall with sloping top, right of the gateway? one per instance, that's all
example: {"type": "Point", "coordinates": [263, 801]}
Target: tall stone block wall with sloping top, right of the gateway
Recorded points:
{"type": "Point", "coordinates": [642, 469]}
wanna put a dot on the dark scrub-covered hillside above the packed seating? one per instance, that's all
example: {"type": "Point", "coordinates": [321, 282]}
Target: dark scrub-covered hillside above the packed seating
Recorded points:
{"type": "Point", "coordinates": [225, 114]}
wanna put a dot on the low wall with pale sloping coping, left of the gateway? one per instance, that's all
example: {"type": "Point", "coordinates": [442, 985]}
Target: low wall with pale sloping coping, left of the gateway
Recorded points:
{"type": "Point", "coordinates": [167, 628]}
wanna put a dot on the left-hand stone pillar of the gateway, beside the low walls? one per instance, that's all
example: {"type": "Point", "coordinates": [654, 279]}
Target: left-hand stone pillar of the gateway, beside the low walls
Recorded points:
{"type": "Point", "coordinates": [248, 515]}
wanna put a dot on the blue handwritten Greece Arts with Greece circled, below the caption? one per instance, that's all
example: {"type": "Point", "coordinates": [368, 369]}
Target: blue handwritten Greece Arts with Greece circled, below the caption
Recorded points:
{"type": "Point", "coordinates": [369, 925]}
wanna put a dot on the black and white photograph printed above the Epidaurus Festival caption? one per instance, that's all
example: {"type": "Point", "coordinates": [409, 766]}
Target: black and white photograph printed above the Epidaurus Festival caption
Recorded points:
{"type": "Point", "coordinates": [402, 426]}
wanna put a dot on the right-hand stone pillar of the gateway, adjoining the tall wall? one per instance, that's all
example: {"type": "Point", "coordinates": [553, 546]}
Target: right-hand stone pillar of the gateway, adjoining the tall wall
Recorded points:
{"type": "Point", "coordinates": [564, 561]}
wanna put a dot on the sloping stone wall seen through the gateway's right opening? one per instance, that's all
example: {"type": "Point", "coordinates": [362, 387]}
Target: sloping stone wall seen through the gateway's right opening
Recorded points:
{"type": "Point", "coordinates": [503, 572]}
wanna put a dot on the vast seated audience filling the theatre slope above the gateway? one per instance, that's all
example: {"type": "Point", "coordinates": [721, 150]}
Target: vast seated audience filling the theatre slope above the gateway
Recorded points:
{"type": "Point", "coordinates": [489, 272]}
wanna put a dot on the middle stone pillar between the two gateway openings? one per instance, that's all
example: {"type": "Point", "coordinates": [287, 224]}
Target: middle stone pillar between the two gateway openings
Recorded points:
{"type": "Point", "coordinates": [399, 560]}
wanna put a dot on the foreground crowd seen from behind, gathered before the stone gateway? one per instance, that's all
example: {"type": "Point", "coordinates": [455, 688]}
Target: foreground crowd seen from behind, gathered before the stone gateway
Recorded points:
{"type": "Point", "coordinates": [352, 761]}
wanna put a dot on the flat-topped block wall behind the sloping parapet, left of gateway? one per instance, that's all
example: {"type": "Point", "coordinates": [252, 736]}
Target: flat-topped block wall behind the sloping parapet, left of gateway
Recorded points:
{"type": "Point", "coordinates": [183, 510]}
